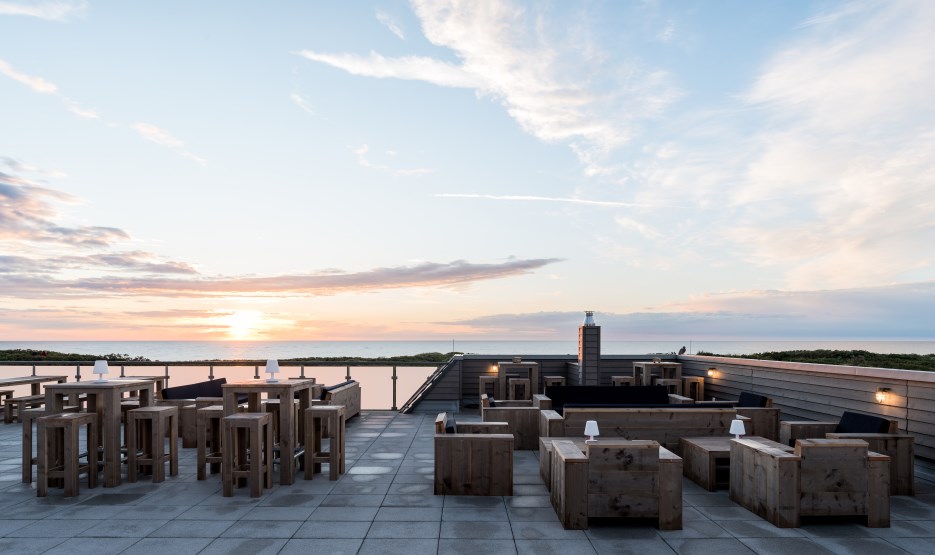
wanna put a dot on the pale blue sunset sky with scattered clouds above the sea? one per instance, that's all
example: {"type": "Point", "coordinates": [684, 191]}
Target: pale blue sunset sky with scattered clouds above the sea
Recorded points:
{"type": "Point", "coordinates": [472, 169]}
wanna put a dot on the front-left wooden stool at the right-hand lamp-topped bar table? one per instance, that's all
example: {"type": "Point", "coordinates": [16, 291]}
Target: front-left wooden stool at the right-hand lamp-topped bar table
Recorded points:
{"type": "Point", "coordinates": [248, 451]}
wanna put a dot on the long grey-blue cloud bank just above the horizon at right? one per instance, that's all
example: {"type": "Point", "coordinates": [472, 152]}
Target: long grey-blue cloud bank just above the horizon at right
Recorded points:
{"type": "Point", "coordinates": [899, 312]}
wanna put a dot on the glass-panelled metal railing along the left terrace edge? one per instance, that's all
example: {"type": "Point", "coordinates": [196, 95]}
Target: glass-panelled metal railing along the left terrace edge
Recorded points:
{"type": "Point", "coordinates": [373, 379]}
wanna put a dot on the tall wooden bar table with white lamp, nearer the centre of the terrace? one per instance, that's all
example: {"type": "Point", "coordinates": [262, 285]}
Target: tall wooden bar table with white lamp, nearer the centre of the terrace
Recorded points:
{"type": "Point", "coordinates": [285, 391]}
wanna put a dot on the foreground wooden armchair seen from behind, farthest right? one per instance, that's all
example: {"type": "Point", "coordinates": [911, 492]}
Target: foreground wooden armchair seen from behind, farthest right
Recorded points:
{"type": "Point", "coordinates": [823, 477]}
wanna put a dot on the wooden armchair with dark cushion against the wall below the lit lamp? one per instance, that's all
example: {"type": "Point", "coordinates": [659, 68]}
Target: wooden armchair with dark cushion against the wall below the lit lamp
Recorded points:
{"type": "Point", "coordinates": [882, 434]}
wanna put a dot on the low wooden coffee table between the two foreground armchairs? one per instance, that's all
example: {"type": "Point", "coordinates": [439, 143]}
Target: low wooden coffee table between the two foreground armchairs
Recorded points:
{"type": "Point", "coordinates": [706, 460]}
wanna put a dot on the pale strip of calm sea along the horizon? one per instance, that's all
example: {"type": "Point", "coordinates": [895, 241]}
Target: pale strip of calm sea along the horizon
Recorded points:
{"type": "Point", "coordinates": [177, 351]}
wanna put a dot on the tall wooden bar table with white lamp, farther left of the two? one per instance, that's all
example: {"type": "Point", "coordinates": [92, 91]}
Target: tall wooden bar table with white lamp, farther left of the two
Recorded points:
{"type": "Point", "coordinates": [104, 398]}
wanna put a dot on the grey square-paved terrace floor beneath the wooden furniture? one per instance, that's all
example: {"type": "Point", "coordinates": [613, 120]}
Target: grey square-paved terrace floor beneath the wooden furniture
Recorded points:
{"type": "Point", "coordinates": [384, 504]}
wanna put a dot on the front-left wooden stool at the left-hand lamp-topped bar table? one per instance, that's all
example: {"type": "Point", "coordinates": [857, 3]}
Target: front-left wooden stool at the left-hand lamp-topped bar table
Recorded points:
{"type": "Point", "coordinates": [59, 452]}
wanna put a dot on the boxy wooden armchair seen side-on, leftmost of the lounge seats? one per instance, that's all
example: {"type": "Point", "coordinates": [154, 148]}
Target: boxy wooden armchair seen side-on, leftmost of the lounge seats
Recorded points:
{"type": "Point", "coordinates": [473, 458]}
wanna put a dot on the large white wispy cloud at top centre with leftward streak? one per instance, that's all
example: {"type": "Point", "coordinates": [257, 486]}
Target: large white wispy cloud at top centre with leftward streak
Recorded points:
{"type": "Point", "coordinates": [557, 86]}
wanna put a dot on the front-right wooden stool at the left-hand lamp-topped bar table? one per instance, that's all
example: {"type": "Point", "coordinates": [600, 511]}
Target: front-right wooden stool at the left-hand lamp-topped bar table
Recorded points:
{"type": "Point", "coordinates": [147, 428]}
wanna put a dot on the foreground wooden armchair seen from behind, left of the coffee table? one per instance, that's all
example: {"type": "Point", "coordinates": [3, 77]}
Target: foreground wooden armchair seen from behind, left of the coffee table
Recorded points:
{"type": "Point", "coordinates": [616, 478]}
